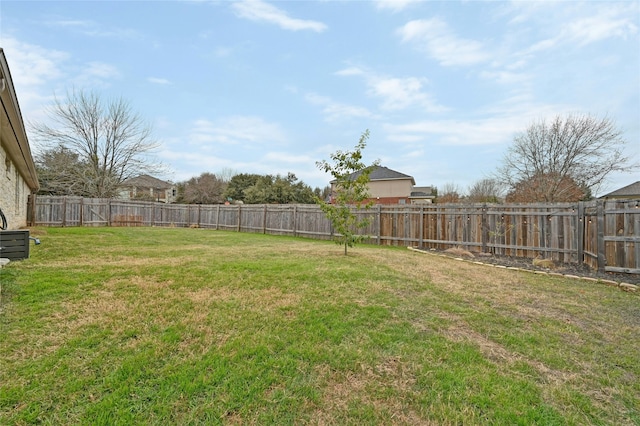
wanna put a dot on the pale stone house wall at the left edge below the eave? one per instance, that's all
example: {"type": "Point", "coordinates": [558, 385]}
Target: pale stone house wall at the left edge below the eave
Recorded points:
{"type": "Point", "coordinates": [14, 192]}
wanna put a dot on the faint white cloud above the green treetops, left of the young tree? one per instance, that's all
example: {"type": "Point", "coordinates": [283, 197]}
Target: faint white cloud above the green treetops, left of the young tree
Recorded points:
{"type": "Point", "coordinates": [236, 130]}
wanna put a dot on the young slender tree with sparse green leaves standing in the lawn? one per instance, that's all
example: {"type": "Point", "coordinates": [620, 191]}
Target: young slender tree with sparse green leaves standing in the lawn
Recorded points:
{"type": "Point", "coordinates": [351, 191]}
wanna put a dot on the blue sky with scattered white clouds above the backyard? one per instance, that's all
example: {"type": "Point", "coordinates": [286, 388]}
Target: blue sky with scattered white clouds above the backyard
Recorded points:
{"type": "Point", "coordinates": [271, 87]}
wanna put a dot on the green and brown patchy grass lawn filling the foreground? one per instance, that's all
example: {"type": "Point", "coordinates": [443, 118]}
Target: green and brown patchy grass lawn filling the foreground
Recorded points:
{"type": "Point", "coordinates": [189, 326]}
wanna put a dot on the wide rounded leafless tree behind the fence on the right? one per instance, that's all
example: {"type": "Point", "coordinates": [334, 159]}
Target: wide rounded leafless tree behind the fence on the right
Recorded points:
{"type": "Point", "coordinates": [580, 148]}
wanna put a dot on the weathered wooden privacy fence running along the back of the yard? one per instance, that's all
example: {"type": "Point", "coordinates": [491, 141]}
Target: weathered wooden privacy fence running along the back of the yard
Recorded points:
{"type": "Point", "coordinates": [603, 234]}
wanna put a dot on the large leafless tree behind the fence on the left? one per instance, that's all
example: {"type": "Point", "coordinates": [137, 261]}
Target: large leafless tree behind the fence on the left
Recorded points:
{"type": "Point", "coordinates": [111, 139]}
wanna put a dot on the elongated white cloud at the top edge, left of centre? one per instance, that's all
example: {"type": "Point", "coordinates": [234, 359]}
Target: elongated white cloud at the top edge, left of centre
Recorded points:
{"type": "Point", "coordinates": [258, 10]}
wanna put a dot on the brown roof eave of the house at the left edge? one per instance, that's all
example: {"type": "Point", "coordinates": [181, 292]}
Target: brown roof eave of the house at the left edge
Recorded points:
{"type": "Point", "coordinates": [14, 136]}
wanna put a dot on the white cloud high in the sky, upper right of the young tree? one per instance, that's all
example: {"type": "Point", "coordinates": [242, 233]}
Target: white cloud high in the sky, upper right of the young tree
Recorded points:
{"type": "Point", "coordinates": [438, 40]}
